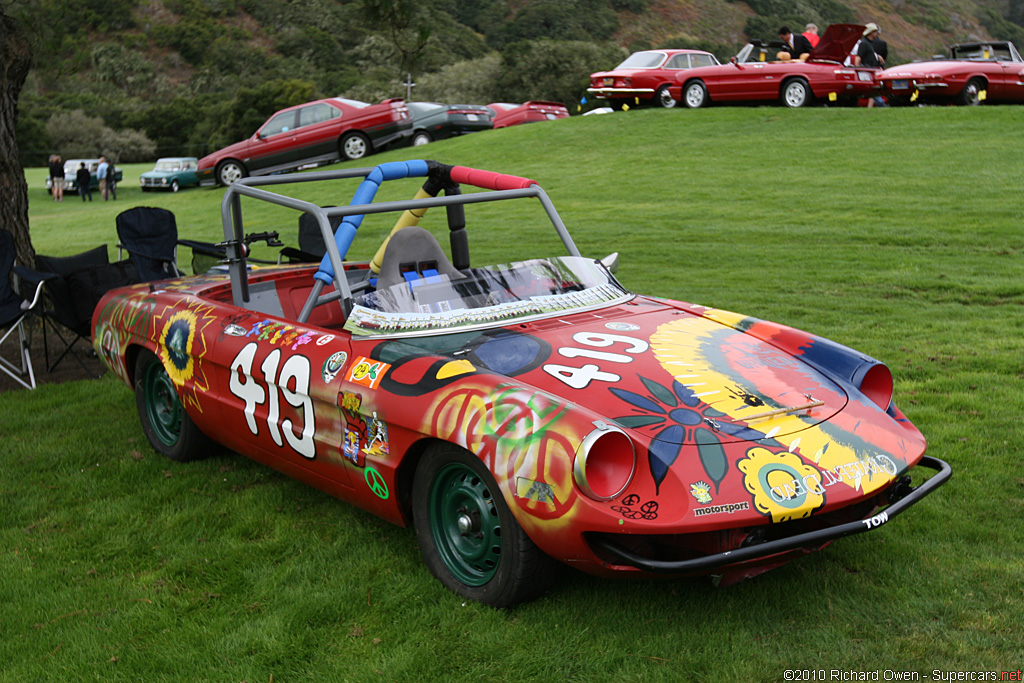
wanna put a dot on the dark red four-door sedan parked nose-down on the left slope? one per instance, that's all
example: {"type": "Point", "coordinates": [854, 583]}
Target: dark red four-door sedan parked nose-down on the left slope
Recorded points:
{"type": "Point", "coordinates": [311, 135]}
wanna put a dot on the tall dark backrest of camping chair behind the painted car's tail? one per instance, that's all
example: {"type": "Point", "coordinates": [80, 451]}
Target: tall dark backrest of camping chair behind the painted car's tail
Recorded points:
{"type": "Point", "coordinates": [150, 236]}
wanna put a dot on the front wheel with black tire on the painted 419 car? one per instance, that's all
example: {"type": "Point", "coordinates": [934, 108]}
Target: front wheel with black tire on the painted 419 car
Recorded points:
{"type": "Point", "coordinates": [467, 535]}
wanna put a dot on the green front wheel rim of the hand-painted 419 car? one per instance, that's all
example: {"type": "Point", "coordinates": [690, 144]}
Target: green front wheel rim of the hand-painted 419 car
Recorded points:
{"type": "Point", "coordinates": [465, 525]}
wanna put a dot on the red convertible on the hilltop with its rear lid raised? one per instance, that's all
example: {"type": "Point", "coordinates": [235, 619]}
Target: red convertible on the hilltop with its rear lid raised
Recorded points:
{"type": "Point", "coordinates": [751, 78]}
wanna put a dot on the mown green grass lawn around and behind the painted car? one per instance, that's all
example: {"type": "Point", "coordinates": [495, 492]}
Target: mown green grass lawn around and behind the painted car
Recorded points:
{"type": "Point", "coordinates": [894, 232]}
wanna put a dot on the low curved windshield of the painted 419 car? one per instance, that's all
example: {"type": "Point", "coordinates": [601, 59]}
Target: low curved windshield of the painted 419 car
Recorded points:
{"type": "Point", "coordinates": [486, 297]}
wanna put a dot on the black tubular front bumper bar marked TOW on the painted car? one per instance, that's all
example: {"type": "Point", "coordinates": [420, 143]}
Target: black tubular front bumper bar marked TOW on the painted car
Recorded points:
{"type": "Point", "coordinates": [770, 548]}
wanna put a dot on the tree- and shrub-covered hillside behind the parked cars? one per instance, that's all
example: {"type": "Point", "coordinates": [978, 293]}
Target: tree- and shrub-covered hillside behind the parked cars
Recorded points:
{"type": "Point", "coordinates": [143, 78]}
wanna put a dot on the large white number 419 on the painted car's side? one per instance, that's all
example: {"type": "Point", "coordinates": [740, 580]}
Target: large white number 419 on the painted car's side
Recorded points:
{"type": "Point", "coordinates": [294, 387]}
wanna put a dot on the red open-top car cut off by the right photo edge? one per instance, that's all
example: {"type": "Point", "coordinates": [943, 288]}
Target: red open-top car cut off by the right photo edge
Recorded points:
{"type": "Point", "coordinates": [992, 72]}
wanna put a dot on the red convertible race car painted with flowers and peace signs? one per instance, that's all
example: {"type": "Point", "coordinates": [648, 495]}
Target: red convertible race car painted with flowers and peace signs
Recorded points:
{"type": "Point", "coordinates": [517, 414]}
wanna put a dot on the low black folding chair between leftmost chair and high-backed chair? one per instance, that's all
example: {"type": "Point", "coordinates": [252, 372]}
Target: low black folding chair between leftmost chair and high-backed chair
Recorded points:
{"type": "Point", "coordinates": [74, 286]}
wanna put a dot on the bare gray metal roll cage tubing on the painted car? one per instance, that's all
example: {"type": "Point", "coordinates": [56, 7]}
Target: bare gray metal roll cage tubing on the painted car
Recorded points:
{"type": "Point", "coordinates": [231, 214]}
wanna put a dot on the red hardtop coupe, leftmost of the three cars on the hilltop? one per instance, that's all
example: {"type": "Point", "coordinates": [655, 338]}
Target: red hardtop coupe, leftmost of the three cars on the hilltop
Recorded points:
{"type": "Point", "coordinates": [648, 77]}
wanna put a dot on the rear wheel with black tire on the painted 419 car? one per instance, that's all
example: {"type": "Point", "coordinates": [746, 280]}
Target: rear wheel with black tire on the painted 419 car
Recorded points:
{"type": "Point", "coordinates": [170, 431]}
